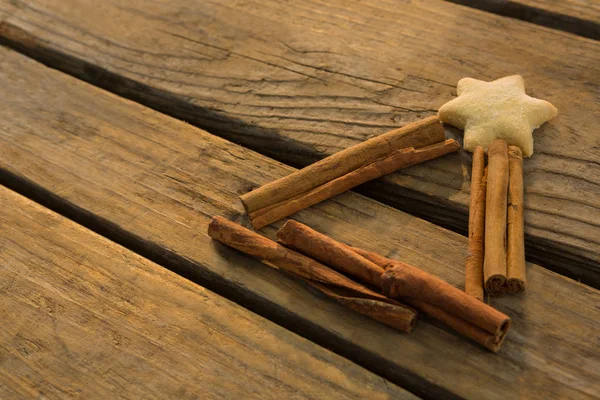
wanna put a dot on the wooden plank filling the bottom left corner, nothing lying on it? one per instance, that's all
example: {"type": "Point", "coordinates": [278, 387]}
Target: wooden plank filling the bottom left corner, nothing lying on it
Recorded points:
{"type": "Point", "coordinates": [84, 317]}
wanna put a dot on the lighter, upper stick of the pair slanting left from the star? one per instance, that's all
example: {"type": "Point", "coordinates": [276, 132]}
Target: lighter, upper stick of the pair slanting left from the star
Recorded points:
{"type": "Point", "coordinates": [419, 134]}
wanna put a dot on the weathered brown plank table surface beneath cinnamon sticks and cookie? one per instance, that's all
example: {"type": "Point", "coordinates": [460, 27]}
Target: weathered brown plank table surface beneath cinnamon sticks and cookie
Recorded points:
{"type": "Point", "coordinates": [109, 285]}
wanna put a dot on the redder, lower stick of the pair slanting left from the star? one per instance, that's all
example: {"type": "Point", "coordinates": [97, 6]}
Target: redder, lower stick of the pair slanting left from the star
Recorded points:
{"type": "Point", "coordinates": [398, 159]}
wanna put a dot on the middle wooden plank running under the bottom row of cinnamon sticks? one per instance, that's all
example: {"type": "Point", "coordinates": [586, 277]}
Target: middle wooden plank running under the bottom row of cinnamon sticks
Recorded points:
{"type": "Point", "coordinates": [153, 183]}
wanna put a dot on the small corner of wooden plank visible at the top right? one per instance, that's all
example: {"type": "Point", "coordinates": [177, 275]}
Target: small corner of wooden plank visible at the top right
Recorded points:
{"type": "Point", "coordinates": [581, 17]}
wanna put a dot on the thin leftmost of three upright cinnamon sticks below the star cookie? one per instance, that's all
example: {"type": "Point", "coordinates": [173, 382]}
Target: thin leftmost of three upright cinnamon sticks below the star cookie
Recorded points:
{"type": "Point", "coordinates": [474, 267]}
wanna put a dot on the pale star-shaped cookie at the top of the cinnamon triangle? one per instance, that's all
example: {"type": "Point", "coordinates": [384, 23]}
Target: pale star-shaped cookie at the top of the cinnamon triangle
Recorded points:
{"type": "Point", "coordinates": [496, 110]}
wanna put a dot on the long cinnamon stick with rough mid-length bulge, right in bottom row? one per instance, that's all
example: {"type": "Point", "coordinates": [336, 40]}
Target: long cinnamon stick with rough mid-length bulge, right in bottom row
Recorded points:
{"type": "Point", "coordinates": [464, 313]}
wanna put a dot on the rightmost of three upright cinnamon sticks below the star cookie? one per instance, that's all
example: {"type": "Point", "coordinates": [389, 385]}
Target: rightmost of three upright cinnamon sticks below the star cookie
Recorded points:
{"type": "Point", "coordinates": [515, 263]}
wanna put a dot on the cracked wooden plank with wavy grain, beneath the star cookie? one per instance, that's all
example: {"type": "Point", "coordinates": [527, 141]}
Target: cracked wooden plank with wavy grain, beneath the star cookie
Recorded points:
{"type": "Point", "coordinates": [300, 81]}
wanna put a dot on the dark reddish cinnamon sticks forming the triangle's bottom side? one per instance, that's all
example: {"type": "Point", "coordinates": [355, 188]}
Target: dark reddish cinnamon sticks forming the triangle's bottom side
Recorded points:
{"type": "Point", "coordinates": [324, 263]}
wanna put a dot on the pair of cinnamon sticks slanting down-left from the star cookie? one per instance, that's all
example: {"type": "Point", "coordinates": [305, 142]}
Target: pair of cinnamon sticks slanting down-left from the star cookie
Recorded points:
{"type": "Point", "coordinates": [412, 144]}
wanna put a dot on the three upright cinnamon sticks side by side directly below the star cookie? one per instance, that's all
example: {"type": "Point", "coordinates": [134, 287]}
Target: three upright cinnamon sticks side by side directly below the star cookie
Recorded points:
{"type": "Point", "coordinates": [496, 260]}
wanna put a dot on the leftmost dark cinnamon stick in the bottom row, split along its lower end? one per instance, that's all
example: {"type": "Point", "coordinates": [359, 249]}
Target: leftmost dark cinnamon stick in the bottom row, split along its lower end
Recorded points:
{"type": "Point", "coordinates": [331, 283]}
